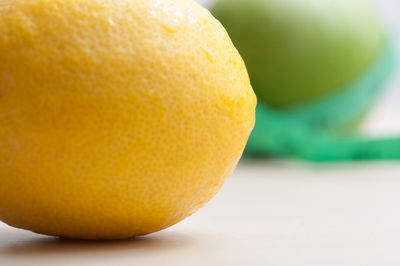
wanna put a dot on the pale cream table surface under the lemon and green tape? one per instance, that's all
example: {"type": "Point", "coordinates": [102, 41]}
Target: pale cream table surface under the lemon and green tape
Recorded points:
{"type": "Point", "coordinates": [268, 213]}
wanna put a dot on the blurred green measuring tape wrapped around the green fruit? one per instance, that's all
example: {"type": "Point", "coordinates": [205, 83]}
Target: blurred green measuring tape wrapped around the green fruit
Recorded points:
{"type": "Point", "coordinates": [311, 131]}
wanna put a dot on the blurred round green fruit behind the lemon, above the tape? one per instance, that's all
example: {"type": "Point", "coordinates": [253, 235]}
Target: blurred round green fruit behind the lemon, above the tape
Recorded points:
{"type": "Point", "coordinates": [301, 50]}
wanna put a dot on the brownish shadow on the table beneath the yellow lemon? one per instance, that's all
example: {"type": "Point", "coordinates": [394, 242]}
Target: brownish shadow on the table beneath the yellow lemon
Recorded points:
{"type": "Point", "coordinates": [18, 244]}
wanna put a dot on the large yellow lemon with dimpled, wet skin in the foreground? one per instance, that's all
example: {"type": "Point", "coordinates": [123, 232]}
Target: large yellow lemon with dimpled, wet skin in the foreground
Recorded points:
{"type": "Point", "coordinates": [117, 118]}
